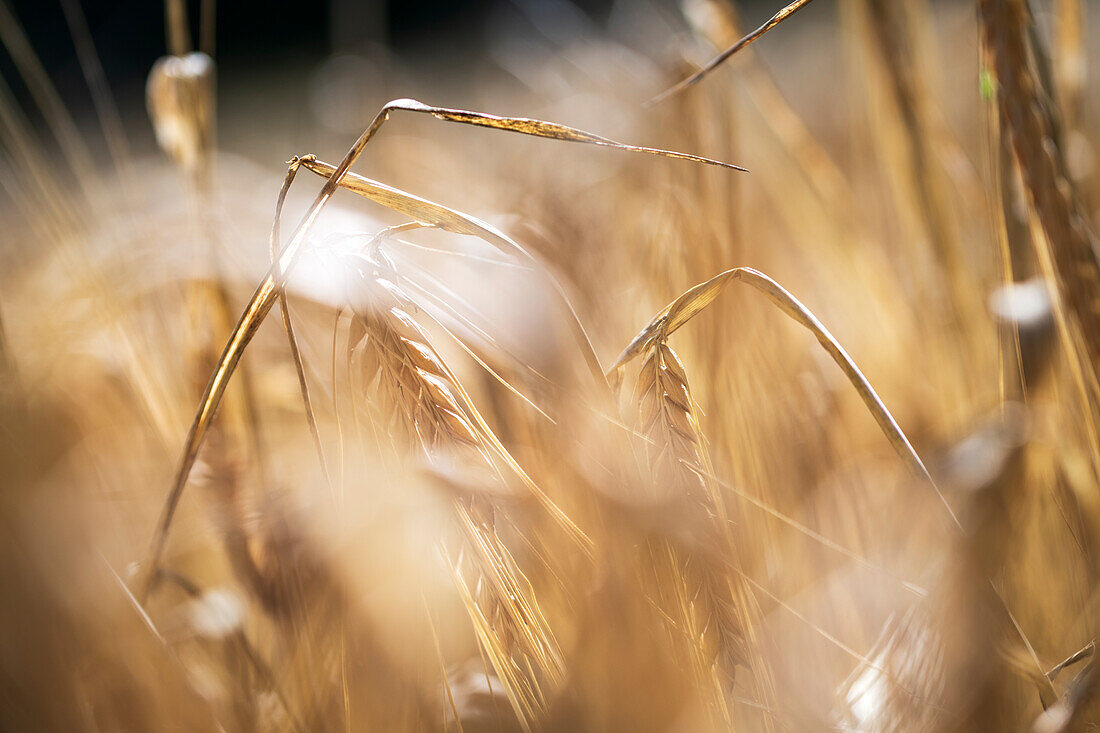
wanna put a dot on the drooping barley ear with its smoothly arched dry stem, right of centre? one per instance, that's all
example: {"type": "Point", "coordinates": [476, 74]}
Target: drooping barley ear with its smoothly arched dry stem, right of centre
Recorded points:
{"type": "Point", "coordinates": [718, 606]}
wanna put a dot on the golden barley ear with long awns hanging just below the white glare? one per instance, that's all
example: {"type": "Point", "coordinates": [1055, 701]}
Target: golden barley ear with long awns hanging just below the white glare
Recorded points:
{"type": "Point", "coordinates": [430, 413]}
